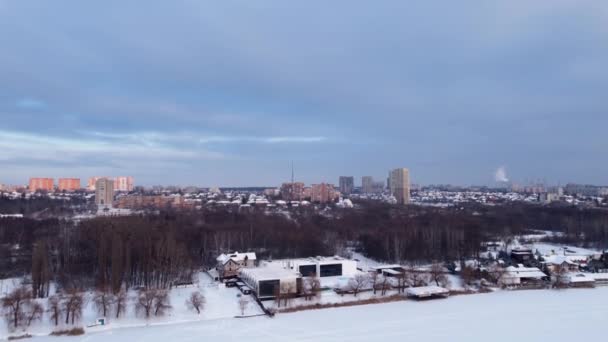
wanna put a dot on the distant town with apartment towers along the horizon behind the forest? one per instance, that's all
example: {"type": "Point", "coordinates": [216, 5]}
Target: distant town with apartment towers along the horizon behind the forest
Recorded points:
{"type": "Point", "coordinates": [116, 196]}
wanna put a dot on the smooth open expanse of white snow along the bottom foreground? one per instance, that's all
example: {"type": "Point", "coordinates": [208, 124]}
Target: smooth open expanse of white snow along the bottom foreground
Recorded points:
{"type": "Point", "coordinates": [543, 315]}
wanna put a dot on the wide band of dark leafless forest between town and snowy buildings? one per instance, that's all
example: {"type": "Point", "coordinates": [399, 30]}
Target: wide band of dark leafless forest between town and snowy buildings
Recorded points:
{"type": "Point", "coordinates": [158, 251]}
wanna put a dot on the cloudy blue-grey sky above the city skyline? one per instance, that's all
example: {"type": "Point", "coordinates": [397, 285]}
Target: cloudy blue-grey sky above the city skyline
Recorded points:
{"type": "Point", "coordinates": [230, 93]}
